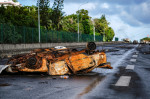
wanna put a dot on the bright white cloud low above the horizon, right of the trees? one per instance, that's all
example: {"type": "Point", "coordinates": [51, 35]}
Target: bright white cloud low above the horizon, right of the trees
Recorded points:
{"type": "Point", "coordinates": [123, 30]}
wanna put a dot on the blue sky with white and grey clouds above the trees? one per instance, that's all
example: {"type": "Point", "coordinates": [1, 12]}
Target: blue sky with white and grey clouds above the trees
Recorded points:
{"type": "Point", "coordinates": [128, 18]}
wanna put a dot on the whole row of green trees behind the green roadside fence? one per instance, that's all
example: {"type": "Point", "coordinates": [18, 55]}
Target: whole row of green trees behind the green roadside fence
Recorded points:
{"type": "Point", "coordinates": [53, 18]}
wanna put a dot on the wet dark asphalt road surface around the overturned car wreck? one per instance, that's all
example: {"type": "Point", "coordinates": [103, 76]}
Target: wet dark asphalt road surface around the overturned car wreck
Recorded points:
{"type": "Point", "coordinates": [98, 84]}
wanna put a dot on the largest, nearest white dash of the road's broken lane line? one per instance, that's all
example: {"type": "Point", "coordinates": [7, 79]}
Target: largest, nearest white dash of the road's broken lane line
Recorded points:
{"type": "Point", "coordinates": [123, 81]}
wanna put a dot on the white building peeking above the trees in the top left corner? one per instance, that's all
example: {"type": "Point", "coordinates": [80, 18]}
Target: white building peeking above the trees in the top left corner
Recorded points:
{"type": "Point", "coordinates": [6, 3]}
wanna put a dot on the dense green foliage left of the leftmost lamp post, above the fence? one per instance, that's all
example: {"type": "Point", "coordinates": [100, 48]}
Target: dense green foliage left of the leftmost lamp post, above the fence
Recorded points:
{"type": "Point", "coordinates": [20, 16]}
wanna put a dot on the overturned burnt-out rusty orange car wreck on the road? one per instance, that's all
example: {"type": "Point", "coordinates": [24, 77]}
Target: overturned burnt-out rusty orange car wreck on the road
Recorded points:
{"type": "Point", "coordinates": [59, 61]}
